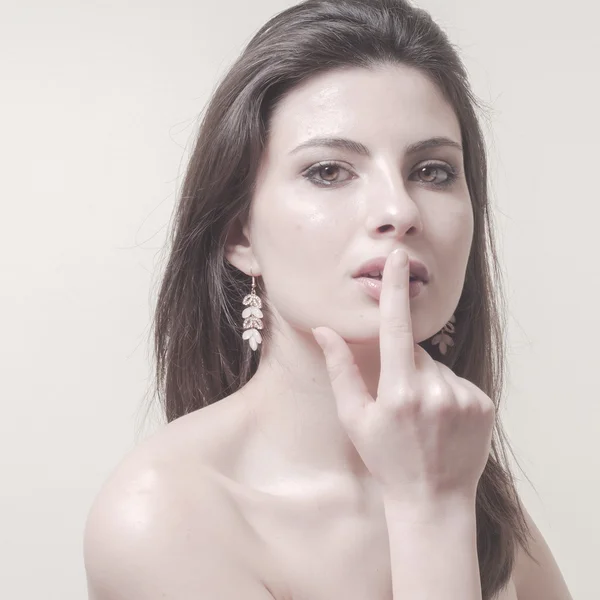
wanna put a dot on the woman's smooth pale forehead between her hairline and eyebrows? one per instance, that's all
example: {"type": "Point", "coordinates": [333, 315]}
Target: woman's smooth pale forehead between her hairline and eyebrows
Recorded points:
{"type": "Point", "coordinates": [387, 105]}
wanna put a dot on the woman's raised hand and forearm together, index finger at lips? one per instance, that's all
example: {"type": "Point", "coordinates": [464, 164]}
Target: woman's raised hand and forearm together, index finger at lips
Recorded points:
{"type": "Point", "coordinates": [425, 439]}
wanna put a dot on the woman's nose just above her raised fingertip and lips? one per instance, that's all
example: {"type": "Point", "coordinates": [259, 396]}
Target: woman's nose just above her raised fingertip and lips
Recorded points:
{"type": "Point", "coordinates": [392, 211]}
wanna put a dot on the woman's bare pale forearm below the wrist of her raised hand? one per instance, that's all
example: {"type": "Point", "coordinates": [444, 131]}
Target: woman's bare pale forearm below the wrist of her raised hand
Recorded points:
{"type": "Point", "coordinates": [433, 550]}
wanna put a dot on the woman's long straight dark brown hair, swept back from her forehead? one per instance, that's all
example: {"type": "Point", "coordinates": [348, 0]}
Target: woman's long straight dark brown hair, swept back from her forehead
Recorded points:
{"type": "Point", "coordinates": [199, 352]}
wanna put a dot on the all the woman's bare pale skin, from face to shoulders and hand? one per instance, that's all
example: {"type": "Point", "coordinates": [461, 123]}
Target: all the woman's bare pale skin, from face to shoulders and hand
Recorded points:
{"type": "Point", "coordinates": [232, 501]}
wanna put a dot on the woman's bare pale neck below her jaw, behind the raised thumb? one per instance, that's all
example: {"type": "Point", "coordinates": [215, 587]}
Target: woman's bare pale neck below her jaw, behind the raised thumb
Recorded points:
{"type": "Point", "coordinates": [295, 411]}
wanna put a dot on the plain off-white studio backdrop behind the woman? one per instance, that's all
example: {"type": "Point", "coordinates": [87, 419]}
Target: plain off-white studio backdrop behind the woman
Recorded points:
{"type": "Point", "coordinates": [100, 104]}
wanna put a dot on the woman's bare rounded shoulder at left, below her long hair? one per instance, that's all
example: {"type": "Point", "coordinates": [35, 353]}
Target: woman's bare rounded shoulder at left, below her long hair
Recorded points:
{"type": "Point", "coordinates": [162, 526]}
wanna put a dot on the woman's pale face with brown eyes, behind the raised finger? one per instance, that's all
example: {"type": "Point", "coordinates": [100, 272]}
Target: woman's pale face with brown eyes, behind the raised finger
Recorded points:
{"type": "Point", "coordinates": [319, 212]}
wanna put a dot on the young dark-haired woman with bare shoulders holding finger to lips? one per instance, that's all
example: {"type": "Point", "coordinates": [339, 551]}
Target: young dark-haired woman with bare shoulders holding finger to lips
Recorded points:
{"type": "Point", "coordinates": [339, 184]}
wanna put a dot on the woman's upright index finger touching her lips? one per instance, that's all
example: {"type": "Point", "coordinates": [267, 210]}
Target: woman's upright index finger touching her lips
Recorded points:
{"type": "Point", "coordinates": [396, 340]}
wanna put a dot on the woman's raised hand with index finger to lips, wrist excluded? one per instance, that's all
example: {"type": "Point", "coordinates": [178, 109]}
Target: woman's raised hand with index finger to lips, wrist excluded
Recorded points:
{"type": "Point", "coordinates": [427, 435]}
